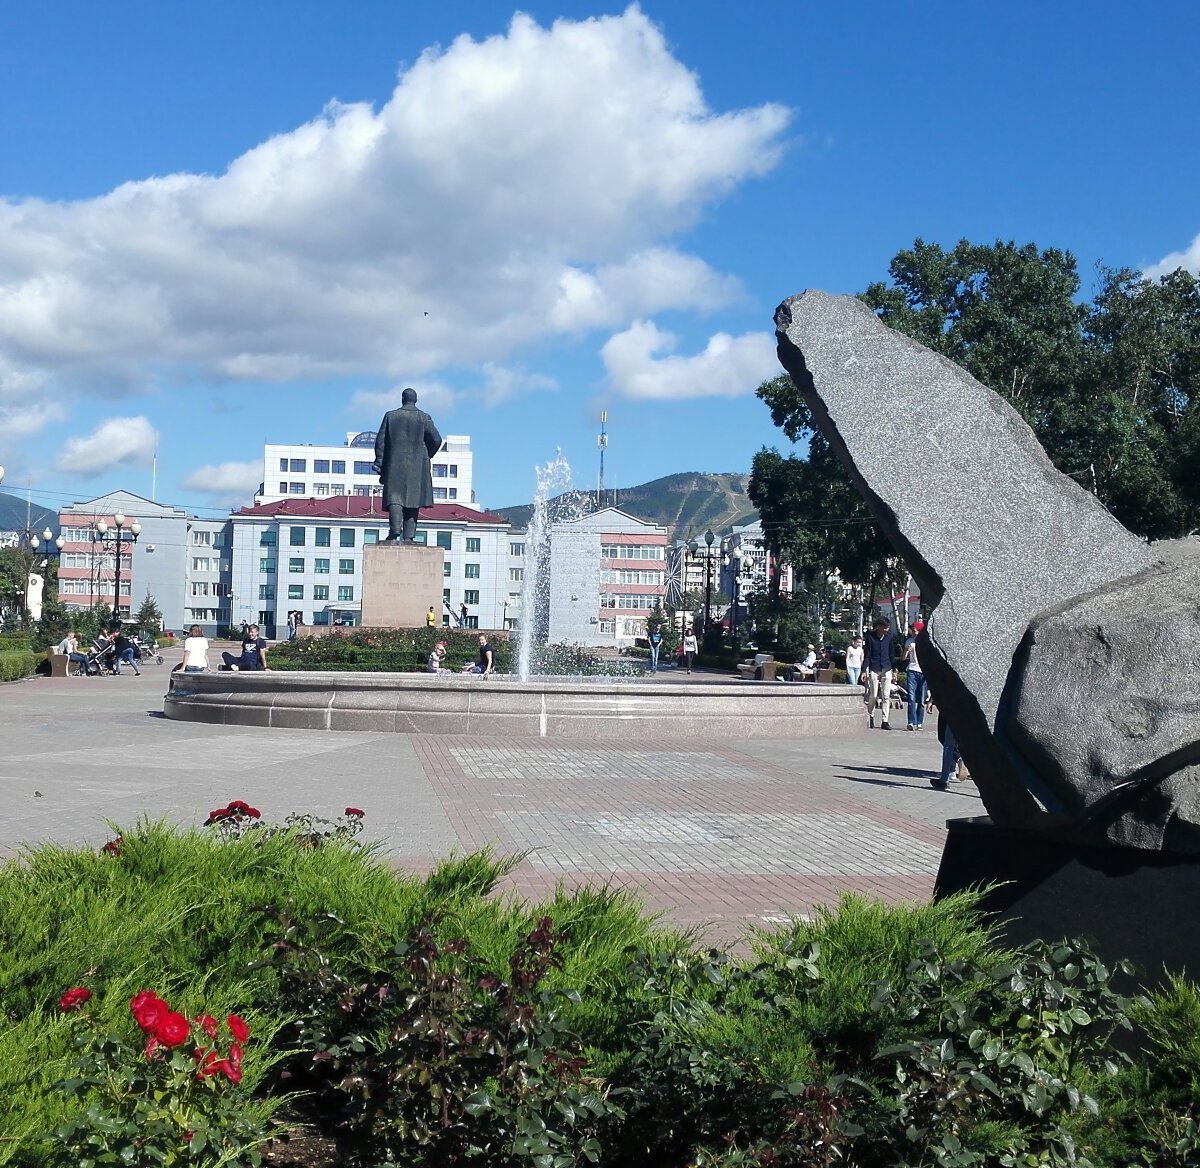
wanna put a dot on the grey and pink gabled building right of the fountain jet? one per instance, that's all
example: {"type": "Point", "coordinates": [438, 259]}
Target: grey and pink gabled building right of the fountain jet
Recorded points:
{"type": "Point", "coordinates": [608, 572]}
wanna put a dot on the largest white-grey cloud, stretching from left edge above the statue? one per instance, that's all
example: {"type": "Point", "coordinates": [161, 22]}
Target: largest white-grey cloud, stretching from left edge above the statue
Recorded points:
{"type": "Point", "coordinates": [509, 189]}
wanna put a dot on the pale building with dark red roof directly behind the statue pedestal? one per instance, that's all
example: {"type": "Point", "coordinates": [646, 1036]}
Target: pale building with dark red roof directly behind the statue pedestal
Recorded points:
{"type": "Point", "coordinates": [307, 556]}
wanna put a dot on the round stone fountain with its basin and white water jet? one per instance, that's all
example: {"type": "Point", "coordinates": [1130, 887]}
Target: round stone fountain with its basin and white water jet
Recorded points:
{"type": "Point", "coordinates": [541, 700]}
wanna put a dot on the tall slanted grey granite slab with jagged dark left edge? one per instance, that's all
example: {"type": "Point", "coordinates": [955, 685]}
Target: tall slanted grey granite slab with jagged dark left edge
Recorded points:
{"type": "Point", "coordinates": [991, 530]}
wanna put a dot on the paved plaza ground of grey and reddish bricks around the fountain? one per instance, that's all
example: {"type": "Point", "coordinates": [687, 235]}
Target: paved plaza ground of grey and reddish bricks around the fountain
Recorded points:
{"type": "Point", "coordinates": [715, 835]}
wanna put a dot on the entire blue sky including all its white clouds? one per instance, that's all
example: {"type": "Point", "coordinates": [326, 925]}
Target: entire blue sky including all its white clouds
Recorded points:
{"type": "Point", "coordinates": [230, 224]}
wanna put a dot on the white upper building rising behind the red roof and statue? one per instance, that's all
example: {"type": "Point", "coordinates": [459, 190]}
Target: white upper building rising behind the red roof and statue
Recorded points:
{"type": "Point", "coordinates": [323, 472]}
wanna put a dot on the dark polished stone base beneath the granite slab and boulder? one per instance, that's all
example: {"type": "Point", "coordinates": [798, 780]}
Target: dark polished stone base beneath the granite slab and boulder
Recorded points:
{"type": "Point", "coordinates": [1131, 905]}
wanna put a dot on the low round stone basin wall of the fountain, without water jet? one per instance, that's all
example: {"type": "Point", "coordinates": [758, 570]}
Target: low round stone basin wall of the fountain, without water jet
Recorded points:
{"type": "Point", "coordinates": [595, 708]}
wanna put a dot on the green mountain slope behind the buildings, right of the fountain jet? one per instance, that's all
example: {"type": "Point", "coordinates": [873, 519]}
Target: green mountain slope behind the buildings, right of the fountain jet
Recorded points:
{"type": "Point", "coordinates": [688, 505]}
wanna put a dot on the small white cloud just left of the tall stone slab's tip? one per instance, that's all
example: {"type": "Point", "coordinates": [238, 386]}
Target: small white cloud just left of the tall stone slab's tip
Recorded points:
{"type": "Point", "coordinates": [643, 364]}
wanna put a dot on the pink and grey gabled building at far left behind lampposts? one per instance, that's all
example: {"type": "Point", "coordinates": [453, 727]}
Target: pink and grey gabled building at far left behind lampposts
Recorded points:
{"type": "Point", "coordinates": [155, 565]}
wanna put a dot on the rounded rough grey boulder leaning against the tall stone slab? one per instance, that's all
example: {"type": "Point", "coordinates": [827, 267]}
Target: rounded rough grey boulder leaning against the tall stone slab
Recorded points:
{"type": "Point", "coordinates": [1107, 705]}
